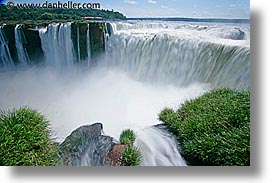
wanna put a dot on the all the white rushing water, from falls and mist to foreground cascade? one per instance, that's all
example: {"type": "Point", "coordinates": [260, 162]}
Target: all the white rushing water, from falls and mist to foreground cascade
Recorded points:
{"type": "Point", "coordinates": [146, 67]}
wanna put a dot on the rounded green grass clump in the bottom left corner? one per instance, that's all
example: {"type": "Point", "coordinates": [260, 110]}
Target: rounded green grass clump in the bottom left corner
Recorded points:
{"type": "Point", "coordinates": [25, 139]}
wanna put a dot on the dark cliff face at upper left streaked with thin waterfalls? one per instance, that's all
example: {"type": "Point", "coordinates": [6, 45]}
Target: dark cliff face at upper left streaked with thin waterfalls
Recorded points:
{"type": "Point", "coordinates": [28, 44]}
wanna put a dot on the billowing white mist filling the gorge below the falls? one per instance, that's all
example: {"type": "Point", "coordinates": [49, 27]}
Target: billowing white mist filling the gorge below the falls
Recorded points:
{"type": "Point", "coordinates": [74, 98]}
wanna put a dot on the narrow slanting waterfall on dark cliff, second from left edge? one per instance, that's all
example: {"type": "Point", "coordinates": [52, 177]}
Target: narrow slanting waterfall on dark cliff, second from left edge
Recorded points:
{"type": "Point", "coordinates": [20, 42]}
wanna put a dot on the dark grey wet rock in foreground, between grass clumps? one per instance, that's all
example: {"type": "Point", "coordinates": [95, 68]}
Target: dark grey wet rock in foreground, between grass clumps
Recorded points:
{"type": "Point", "coordinates": [86, 147]}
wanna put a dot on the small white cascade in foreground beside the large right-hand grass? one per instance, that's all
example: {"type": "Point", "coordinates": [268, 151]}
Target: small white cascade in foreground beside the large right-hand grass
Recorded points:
{"type": "Point", "coordinates": [158, 148]}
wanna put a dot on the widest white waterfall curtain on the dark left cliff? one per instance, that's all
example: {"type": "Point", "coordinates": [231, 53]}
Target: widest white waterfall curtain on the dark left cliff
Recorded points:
{"type": "Point", "coordinates": [57, 45]}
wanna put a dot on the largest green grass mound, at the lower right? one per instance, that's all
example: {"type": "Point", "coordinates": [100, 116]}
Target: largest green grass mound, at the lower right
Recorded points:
{"type": "Point", "coordinates": [213, 129]}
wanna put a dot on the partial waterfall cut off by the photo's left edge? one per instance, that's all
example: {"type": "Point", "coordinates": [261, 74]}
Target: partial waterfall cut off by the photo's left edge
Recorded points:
{"type": "Point", "coordinates": [5, 56]}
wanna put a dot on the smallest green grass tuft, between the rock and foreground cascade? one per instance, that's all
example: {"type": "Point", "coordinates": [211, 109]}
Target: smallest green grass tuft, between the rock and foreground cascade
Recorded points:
{"type": "Point", "coordinates": [131, 155]}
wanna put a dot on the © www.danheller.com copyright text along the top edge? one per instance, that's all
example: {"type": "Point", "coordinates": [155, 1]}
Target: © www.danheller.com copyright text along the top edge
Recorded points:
{"type": "Point", "coordinates": [55, 5]}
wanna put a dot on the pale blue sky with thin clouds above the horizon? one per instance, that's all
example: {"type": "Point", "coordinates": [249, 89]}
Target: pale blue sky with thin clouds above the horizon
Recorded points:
{"type": "Point", "coordinates": [172, 8]}
